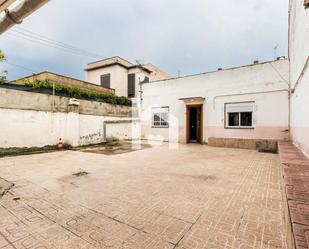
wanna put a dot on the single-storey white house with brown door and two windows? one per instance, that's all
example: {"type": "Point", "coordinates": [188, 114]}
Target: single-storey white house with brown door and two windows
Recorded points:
{"type": "Point", "coordinates": [249, 102]}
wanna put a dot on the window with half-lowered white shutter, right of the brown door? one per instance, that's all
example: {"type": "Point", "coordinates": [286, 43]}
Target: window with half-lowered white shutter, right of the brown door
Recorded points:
{"type": "Point", "coordinates": [239, 115]}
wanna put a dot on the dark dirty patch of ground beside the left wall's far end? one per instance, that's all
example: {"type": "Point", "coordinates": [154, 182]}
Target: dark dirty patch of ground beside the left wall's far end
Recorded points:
{"type": "Point", "coordinates": [112, 148]}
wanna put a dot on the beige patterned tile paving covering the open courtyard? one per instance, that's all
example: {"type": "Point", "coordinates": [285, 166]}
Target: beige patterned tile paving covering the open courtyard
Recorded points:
{"type": "Point", "coordinates": [193, 198]}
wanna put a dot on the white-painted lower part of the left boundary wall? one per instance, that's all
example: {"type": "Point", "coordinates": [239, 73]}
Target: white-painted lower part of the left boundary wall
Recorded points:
{"type": "Point", "coordinates": [28, 128]}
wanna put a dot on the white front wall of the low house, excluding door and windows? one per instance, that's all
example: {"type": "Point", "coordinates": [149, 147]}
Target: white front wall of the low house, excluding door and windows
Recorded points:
{"type": "Point", "coordinates": [260, 83]}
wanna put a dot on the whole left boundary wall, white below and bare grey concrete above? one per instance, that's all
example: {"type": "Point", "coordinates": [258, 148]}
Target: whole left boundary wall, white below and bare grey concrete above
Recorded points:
{"type": "Point", "coordinates": [27, 120]}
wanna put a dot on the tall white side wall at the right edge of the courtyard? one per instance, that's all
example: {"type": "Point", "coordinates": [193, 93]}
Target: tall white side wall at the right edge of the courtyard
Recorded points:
{"type": "Point", "coordinates": [299, 73]}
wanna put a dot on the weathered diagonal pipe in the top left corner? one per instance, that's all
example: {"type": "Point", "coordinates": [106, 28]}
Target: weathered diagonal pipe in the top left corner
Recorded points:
{"type": "Point", "coordinates": [20, 12]}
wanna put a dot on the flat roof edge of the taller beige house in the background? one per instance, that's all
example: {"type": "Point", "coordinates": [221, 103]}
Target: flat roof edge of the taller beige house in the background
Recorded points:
{"type": "Point", "coordinates": [116, 60]}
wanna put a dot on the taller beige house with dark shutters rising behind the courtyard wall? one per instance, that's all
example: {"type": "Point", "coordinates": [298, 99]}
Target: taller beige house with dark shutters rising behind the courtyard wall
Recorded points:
{"type": "Point", "coordinates": [122, 75]}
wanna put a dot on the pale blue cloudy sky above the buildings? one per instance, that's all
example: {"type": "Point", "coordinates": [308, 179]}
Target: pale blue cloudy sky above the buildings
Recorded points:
{"type": "Point", "coordinates": [179, 36]}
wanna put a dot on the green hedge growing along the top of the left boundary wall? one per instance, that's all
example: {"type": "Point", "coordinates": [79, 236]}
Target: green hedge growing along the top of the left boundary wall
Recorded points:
{"type": "Point", "coordinates": [76, 92]}
